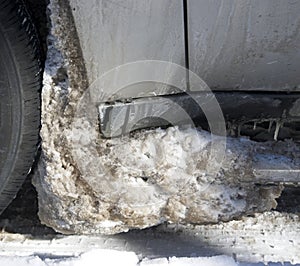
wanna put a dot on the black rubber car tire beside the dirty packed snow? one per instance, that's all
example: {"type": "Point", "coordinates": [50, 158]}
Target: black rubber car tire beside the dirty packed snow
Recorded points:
{"type": "Point", "coordinates": [20, 83]}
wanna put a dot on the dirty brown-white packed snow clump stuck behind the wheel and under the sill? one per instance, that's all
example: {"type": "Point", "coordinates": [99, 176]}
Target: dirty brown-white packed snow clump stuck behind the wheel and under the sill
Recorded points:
{"type": "Point", "coordinates": [113, 185]}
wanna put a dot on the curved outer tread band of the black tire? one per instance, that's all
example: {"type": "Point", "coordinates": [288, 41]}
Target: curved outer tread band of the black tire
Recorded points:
{"type": "Point", "coordinates": [20, 32]}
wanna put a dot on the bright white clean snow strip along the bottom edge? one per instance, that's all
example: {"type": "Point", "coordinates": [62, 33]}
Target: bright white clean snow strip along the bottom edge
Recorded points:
{"type": "Point", "coordinates": [112, 257]}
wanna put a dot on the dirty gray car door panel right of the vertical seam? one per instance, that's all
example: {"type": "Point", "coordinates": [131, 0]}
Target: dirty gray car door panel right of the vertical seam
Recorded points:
{"type": "Point", "coordinates": [245, 45]}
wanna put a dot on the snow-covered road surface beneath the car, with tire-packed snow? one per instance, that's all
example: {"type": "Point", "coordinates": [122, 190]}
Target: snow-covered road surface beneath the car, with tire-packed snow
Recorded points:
{"type": "Point", "coordinates": [270, 237]}
